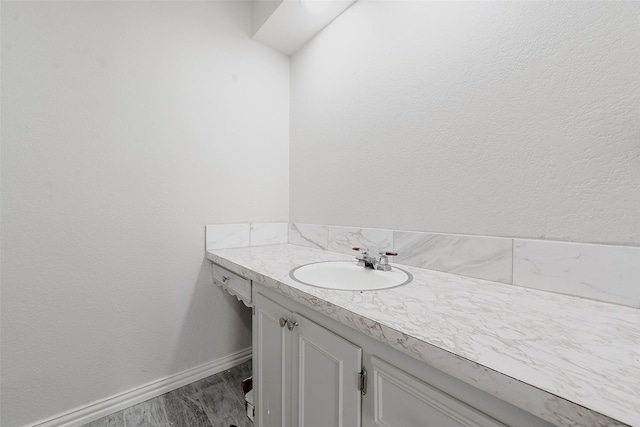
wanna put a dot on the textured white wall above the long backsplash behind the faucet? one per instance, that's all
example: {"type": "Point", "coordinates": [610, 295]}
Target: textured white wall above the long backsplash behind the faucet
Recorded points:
{"type": "Point", "coordinates": [494, 118]}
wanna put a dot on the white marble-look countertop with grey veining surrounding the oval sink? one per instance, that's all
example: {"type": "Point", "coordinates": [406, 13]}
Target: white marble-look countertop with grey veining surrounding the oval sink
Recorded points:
{"type": "Point", "coordinates": [568, 360]}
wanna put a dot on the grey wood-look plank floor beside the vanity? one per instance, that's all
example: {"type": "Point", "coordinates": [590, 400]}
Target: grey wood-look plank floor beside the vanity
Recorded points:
{"type": "Point", "coordinates": [215, 401]}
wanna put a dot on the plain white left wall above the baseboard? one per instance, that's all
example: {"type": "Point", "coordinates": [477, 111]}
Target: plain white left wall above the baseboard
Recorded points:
{"type": "Point", "coordinates": [126, 127]}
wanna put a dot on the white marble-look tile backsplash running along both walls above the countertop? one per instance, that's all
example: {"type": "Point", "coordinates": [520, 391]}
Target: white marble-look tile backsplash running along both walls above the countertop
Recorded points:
{"type": "Point", "coordinates": [606, 273]}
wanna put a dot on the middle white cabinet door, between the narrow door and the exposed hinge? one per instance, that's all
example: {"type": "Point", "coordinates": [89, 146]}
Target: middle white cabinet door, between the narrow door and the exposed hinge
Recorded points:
{"type": "Point", "coordinates": [325, 378]}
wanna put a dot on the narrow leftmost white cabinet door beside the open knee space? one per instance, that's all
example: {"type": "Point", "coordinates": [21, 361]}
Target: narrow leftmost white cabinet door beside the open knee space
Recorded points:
{"type": "Point", "coordinates": [272, 350]}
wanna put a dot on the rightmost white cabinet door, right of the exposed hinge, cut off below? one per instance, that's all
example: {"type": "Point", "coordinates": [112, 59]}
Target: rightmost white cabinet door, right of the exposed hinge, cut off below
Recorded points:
{"type": "Point", "coordinates": [397, 399]}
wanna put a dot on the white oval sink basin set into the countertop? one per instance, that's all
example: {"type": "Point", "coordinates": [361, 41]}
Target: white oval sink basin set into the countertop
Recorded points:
{"type": "Point", "coordinates": [347, 275]}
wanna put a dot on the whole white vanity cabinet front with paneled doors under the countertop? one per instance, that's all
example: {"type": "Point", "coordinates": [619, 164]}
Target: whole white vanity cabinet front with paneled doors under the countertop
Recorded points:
{"type": "Point", "coordinates": [308, 373]}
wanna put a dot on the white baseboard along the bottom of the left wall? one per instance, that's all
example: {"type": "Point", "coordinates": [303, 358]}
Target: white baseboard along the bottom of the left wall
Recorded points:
{"type": "Point", "coordinates": [101, 408]}
